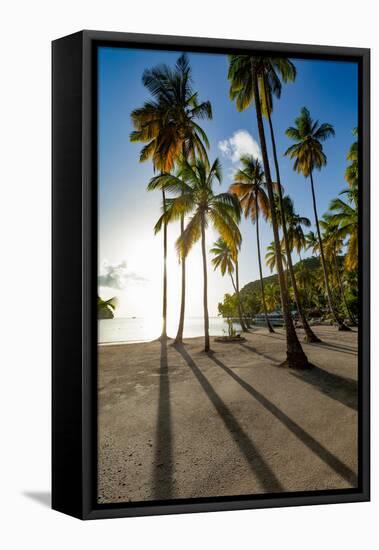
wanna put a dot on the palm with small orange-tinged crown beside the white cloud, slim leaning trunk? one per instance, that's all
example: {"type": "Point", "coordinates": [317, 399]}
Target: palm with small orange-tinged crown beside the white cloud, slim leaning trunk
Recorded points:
{"type": "Point", "coordinates": [249, 187]}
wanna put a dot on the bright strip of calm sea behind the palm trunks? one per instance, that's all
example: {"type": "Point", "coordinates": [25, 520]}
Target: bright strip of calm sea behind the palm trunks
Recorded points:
{"type": "Point", "coordinates": [144, 330]}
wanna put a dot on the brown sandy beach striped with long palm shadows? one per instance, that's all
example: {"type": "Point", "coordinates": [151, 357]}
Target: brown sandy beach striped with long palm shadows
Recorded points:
{"type": "Point", "coordinates": [184, 424]}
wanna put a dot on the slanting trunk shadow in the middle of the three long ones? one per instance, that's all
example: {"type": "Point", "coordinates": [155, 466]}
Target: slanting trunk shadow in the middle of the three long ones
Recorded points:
{"type": "Point", "coordinates": [258, 465]}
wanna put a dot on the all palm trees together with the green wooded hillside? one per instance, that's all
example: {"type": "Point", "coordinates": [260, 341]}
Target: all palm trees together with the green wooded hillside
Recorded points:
{"type": "Point", "coordinates": [317, 288]}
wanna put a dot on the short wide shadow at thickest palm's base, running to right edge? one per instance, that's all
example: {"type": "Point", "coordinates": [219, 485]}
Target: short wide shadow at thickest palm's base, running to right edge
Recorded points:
{"type": "Point", "coordinates": [339, 388]}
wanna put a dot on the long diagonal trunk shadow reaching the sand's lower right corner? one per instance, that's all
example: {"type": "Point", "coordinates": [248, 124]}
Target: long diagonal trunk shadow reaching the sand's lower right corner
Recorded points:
{"type": "Point", "coordinates": [316, 447]}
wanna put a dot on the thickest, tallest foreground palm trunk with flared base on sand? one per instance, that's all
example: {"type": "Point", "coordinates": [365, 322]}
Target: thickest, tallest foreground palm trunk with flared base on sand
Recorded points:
{"type": "Point", "coordinates": [296, 357]}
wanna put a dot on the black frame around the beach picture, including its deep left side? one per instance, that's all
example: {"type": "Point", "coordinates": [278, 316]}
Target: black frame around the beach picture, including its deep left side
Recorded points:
{"type": "Point", "coordinates": [74, 272]}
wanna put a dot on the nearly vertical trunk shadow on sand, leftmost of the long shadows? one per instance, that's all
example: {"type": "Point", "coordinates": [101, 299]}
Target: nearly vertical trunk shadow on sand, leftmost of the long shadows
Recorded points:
{"type": "Point", "coordinates": [162, 473]}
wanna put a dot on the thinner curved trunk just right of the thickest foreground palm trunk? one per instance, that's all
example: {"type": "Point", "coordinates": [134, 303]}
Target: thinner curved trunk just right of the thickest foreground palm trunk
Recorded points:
{"type": "Point", "coordinates": [309, 334]}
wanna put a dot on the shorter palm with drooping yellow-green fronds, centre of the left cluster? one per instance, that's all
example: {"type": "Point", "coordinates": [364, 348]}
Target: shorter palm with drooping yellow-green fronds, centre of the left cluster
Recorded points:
{"type": "Point", "coordinates": [194, 185]}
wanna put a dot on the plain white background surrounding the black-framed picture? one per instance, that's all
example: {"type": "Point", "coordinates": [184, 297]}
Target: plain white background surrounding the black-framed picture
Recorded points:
{"type": "Point", "coordinates": [26, 31]}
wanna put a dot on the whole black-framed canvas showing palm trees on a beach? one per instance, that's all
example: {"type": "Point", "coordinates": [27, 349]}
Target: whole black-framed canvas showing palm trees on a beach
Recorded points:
{"type": "Point", "coordinates": [210, 275]}
